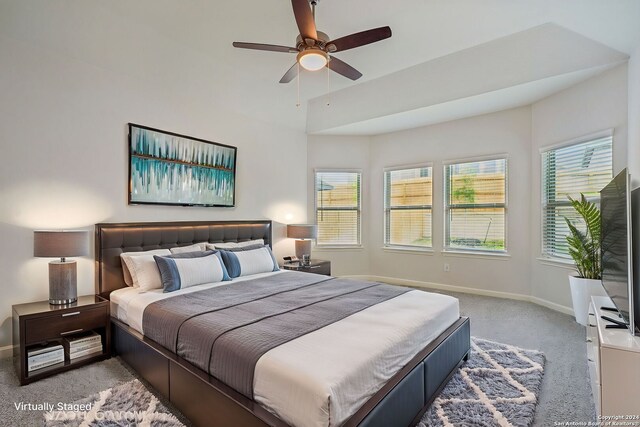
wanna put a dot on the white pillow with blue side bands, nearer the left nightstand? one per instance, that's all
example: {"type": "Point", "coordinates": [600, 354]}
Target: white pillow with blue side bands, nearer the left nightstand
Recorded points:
{"type": "Point", "coordinates": [182, 270]}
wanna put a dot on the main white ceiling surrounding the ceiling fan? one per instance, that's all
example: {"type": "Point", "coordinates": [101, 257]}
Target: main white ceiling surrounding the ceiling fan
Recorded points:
{"type": "Point", "coordinates": [247, 81]}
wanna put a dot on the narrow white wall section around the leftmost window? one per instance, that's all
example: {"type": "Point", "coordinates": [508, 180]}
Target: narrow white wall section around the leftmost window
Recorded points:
{"type": "Point", "coordinates": [347, 152]}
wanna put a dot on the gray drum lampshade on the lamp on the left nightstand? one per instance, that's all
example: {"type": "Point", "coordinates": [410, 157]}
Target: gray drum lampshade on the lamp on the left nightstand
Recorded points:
{"type": "Point", "coordinates": [60, 244]}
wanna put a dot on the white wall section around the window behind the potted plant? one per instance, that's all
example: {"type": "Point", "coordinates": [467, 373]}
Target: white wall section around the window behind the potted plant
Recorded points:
{"type": "Point", "coordinates": [594, 105]}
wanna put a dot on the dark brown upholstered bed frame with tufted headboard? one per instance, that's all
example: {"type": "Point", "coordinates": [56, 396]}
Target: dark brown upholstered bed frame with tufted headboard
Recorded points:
{"type": "Point", "coordinates": [208, 402]}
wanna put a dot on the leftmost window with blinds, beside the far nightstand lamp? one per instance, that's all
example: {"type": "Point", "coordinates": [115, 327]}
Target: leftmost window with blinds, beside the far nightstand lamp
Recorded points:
{"type": "Point", "coordinates": [338, 197]}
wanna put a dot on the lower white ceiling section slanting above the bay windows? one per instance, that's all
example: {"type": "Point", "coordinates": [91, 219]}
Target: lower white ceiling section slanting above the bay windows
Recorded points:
{"type": "Point", "coordinates": [508, 72]}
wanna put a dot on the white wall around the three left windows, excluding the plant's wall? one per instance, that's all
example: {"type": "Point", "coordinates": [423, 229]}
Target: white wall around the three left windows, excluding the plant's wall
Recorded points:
{"type": "Point", "coordinates": [506, 132]}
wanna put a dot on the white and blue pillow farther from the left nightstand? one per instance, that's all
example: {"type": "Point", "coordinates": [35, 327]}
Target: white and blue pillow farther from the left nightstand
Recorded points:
{"type": "Point", "coordinates": [249, 260]}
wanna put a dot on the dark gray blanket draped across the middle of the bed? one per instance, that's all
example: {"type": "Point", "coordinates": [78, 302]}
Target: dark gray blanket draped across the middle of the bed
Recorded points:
{"type": "Point", "coordinates": [225, 330]}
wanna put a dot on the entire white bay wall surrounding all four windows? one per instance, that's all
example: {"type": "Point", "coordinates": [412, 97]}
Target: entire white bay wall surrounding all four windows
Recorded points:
{"type": "Point", "coordinates": [596, 104]}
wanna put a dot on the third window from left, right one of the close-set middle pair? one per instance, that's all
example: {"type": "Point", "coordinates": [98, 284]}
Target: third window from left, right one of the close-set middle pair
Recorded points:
{"type": "Point", "coordinates": [476, 205]}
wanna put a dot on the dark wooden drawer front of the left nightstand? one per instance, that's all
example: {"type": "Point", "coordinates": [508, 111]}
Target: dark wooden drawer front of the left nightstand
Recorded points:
{"type": "Point", "coordinates": [63, 324]}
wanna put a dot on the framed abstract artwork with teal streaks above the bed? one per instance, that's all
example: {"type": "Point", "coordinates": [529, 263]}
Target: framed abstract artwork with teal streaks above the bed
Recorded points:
{"type": "Point", "coordinates": [166, 168]}
